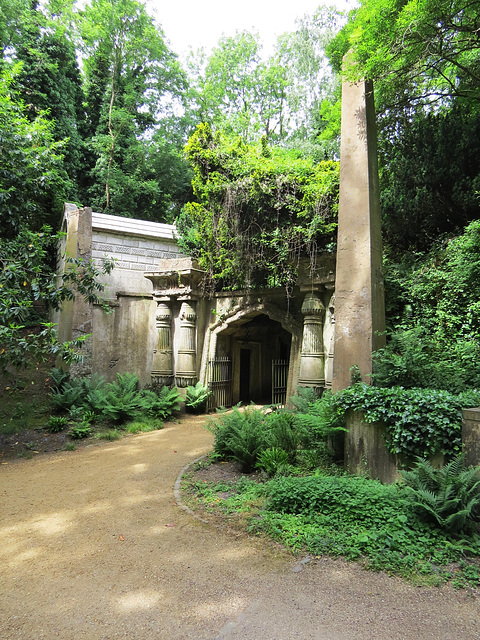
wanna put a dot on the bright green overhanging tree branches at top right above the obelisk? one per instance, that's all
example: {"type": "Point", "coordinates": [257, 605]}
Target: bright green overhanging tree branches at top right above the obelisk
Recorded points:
{"type": "Point", "coordinates": [424, 51]}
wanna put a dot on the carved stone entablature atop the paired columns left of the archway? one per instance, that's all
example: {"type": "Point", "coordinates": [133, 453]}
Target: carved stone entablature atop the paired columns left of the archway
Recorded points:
{"type": "Point", "coordinates": [176, 277]}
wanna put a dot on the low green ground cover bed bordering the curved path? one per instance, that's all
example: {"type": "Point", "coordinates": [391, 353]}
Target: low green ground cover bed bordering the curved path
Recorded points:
{"type": "Point", "coordinates": [355, 518]}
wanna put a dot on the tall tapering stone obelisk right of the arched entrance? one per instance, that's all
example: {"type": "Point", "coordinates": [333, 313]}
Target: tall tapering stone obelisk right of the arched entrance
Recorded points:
{"type": "Point", "coordinates": [359, 294]}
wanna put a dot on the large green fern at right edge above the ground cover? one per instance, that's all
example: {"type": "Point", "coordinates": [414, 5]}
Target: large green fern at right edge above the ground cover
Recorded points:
{"type": "Point", "coordinates": [448, 496]}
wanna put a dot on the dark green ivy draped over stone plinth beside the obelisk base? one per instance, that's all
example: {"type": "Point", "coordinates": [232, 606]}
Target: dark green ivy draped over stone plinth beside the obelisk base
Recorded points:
{"type": "Point", "coordinates": [419, 422]}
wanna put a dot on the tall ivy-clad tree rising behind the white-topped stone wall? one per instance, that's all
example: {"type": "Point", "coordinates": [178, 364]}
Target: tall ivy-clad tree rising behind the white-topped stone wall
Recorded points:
{"type": "Point", "coordinates": [129, 73]}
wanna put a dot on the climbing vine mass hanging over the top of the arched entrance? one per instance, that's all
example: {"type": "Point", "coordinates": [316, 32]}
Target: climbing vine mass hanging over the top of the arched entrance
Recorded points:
{"type": "Point", "coordinates": [258, 210]}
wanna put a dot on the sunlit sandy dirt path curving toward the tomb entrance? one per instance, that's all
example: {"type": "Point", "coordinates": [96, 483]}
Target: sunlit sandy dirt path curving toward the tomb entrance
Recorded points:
{"type": "Point", "coordinates": [93, 546]}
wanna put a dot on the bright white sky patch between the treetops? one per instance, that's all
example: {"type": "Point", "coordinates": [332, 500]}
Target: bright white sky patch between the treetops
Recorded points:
{"type": "Point", "coordinates": [200, 23]}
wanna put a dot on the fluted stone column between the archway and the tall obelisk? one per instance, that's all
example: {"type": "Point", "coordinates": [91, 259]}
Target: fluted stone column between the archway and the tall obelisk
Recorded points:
{"type": "Point", "coordinates": [312, 357]}
